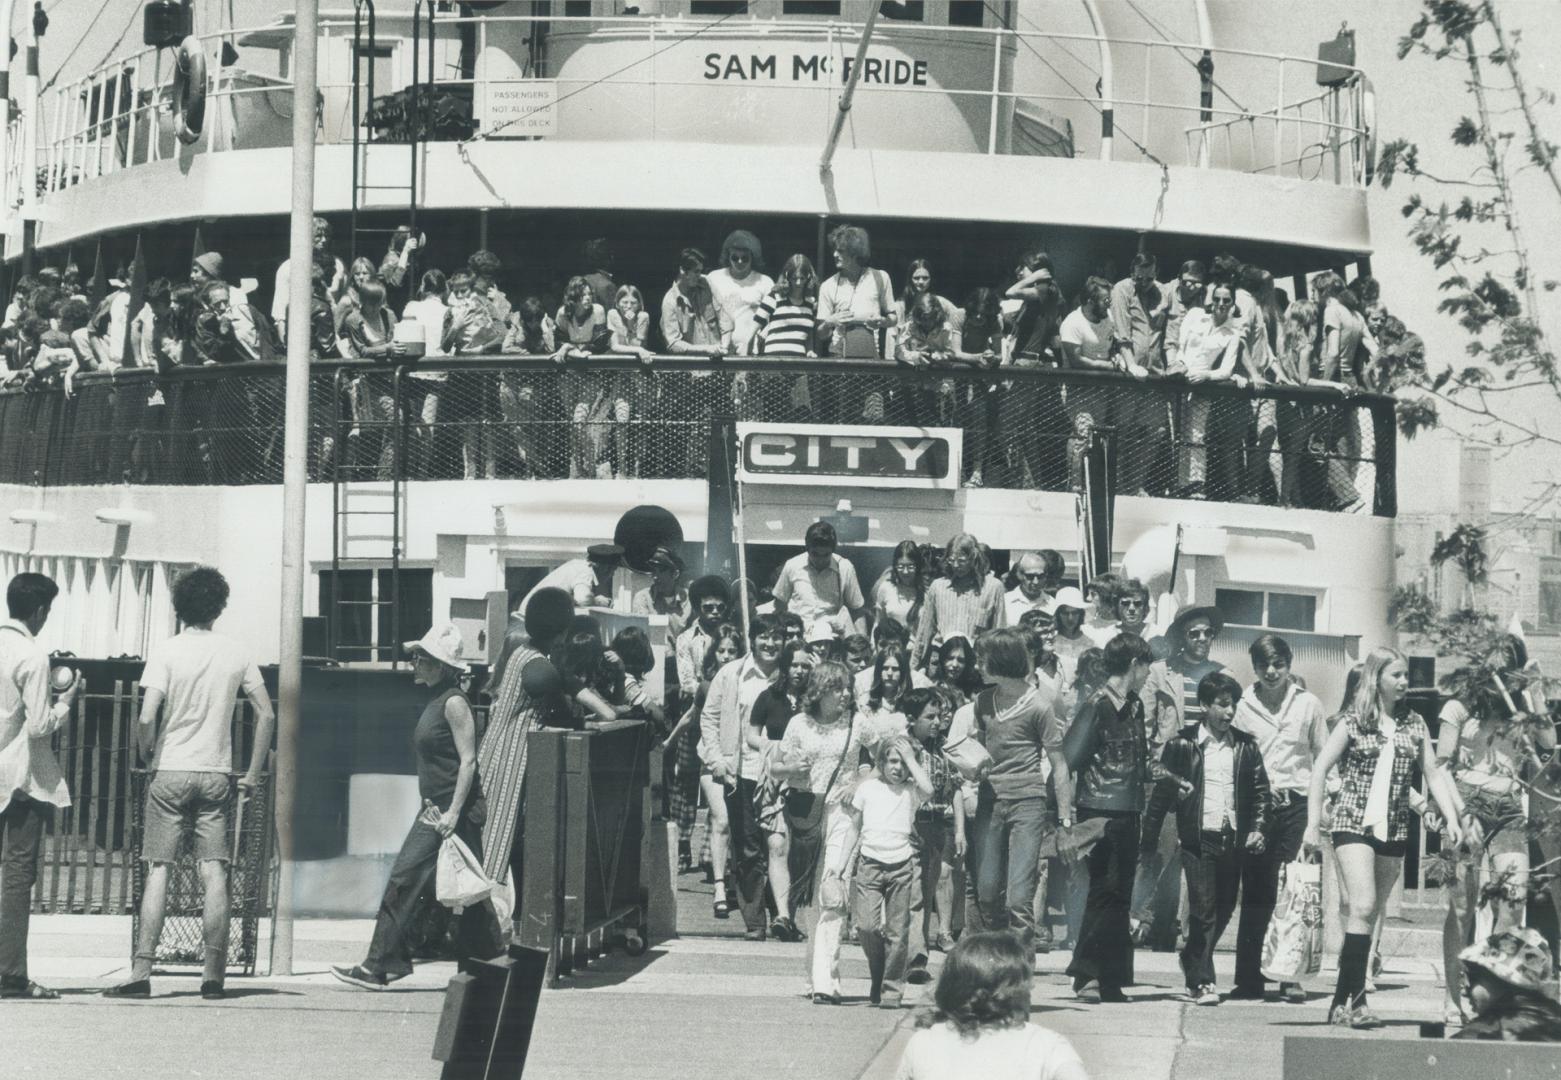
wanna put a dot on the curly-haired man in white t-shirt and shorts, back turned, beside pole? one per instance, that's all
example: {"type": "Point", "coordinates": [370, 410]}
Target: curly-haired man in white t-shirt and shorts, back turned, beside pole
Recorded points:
{"type": "Point", "coordinates": [193, 680]}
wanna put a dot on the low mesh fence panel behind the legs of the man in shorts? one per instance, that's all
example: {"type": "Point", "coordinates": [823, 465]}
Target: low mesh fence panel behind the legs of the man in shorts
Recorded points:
{"type": "Point", "coordinates": [249, 879]}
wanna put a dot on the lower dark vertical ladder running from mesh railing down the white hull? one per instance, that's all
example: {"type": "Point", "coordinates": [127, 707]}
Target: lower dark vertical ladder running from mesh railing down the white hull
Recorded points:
{"type": "Point", "coordinates": [363, 508]}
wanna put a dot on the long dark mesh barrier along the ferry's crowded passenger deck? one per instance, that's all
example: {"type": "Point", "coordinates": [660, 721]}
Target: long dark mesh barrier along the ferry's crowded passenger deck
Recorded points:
{"type": "Point", "coordinates": [616, 417]}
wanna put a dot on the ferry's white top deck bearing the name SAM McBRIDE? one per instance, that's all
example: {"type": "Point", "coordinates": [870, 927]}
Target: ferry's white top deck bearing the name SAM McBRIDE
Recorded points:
{"type": "Point", "coordinates": [620, 113]}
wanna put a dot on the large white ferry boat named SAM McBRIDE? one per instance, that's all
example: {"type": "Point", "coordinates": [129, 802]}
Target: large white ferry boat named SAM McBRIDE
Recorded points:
{"type": "Point", "coordinates": [528, 129]}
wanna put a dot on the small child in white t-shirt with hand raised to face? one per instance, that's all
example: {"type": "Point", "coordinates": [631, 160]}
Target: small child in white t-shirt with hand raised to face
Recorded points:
{"type": "Point", "coordinates": [886, 811]}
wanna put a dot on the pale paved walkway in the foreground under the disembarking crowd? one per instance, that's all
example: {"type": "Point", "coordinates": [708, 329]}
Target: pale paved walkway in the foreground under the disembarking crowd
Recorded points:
{"type": "Point", "coordinates": [703, 1006]}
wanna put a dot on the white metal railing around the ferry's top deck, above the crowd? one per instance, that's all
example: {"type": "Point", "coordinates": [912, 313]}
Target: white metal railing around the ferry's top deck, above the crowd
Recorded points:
{"type": "Point", "coordinates": [119, 116]}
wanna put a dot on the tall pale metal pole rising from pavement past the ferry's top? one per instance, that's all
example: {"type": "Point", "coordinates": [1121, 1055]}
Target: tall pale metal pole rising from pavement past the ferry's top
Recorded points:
{"type": "Point", "coordinates": [296, 453]}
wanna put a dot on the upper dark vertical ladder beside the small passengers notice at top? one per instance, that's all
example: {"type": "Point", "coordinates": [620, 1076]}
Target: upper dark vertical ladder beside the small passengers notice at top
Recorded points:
{"type": "Point", "coordinates": [383, 185]}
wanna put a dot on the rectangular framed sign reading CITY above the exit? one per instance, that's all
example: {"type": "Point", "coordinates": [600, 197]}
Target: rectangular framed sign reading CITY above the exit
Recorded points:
{"type": "Point", "coordinates": [850, 457]}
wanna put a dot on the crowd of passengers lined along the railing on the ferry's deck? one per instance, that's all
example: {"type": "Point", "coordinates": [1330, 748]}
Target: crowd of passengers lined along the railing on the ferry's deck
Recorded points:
{"type": "Point", "coordinates": [1217, 322]}
